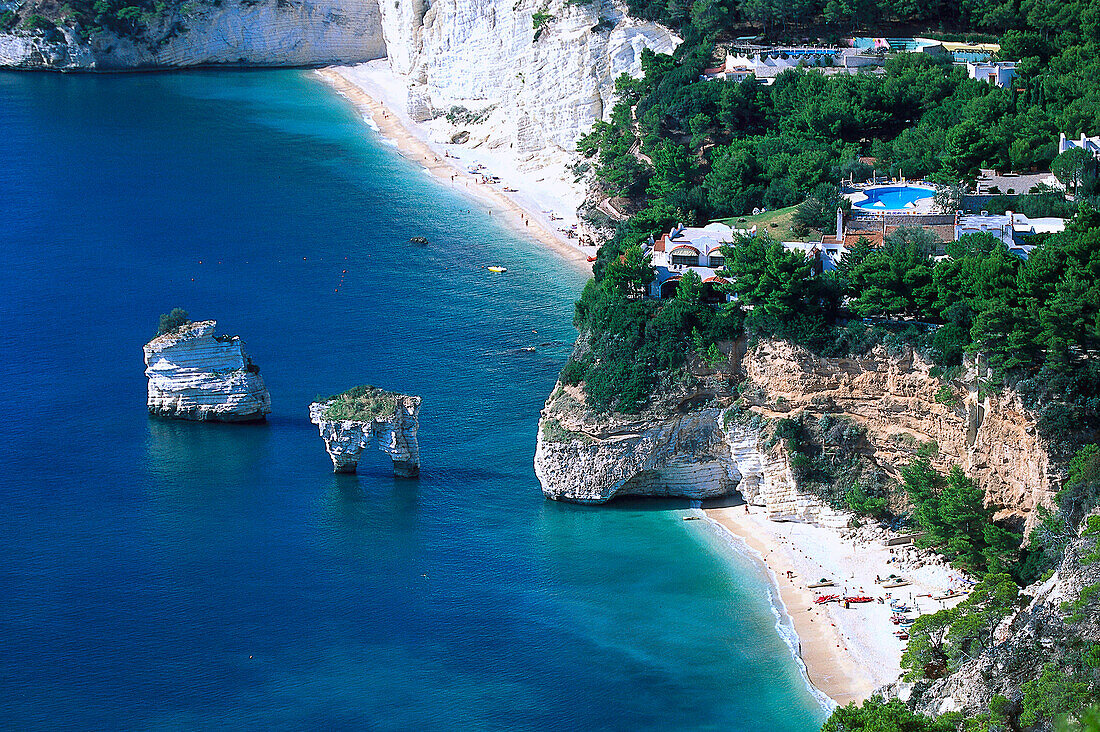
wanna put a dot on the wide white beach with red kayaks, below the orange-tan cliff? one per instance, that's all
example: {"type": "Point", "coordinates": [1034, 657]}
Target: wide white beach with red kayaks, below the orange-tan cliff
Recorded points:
{"type": "Point", "coordinates": [851, 652]}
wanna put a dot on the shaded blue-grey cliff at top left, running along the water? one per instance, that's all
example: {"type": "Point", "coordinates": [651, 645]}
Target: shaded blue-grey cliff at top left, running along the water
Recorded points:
{"type": "Point", "coordinates": [238, 32]}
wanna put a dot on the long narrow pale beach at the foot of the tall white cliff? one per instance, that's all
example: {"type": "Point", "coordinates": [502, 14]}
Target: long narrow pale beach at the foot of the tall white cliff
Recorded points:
{"type": "Point", "coordinates": [526, 212]}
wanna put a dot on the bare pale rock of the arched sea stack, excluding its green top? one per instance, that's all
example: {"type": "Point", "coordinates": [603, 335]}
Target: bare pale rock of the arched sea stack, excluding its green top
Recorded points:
{"type": "Point", "coordinates": [394, 433]}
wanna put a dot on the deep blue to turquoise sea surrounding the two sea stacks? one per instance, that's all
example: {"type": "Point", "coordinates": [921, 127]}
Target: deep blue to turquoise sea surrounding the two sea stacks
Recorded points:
{"type": "Point", "coordinates": [182, 576]}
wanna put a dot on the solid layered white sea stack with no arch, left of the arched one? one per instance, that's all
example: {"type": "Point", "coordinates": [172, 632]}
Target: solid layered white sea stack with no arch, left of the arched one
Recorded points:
{"type": "Point", "coordinates": [194, 375]}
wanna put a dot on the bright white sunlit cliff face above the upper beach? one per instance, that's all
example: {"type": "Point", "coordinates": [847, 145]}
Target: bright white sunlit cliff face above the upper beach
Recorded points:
{"type": "Point", "coordinates": [545, 88]}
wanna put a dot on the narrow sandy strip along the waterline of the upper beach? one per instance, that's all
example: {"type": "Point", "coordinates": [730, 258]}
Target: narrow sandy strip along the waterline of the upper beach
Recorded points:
{"type": "Point", "coordinates": [522, 215]}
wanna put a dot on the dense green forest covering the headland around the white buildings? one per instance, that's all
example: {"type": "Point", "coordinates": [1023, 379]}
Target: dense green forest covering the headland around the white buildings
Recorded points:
{"type": "Point", "coordinates": [679, 150]}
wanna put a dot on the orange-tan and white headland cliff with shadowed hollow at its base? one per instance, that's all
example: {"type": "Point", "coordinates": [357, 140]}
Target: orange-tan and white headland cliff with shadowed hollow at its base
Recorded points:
{"type": "Point", "coordinates": [683, 450]}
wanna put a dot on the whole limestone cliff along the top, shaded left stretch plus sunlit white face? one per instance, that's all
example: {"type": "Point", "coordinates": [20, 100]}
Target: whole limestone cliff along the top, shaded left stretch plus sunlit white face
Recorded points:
{"type": "Point", "coordinates": [532, 91]}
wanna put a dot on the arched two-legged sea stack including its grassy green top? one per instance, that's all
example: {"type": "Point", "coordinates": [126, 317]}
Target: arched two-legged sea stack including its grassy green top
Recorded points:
{"type": "Point", "coordinates": [354, 420]}
